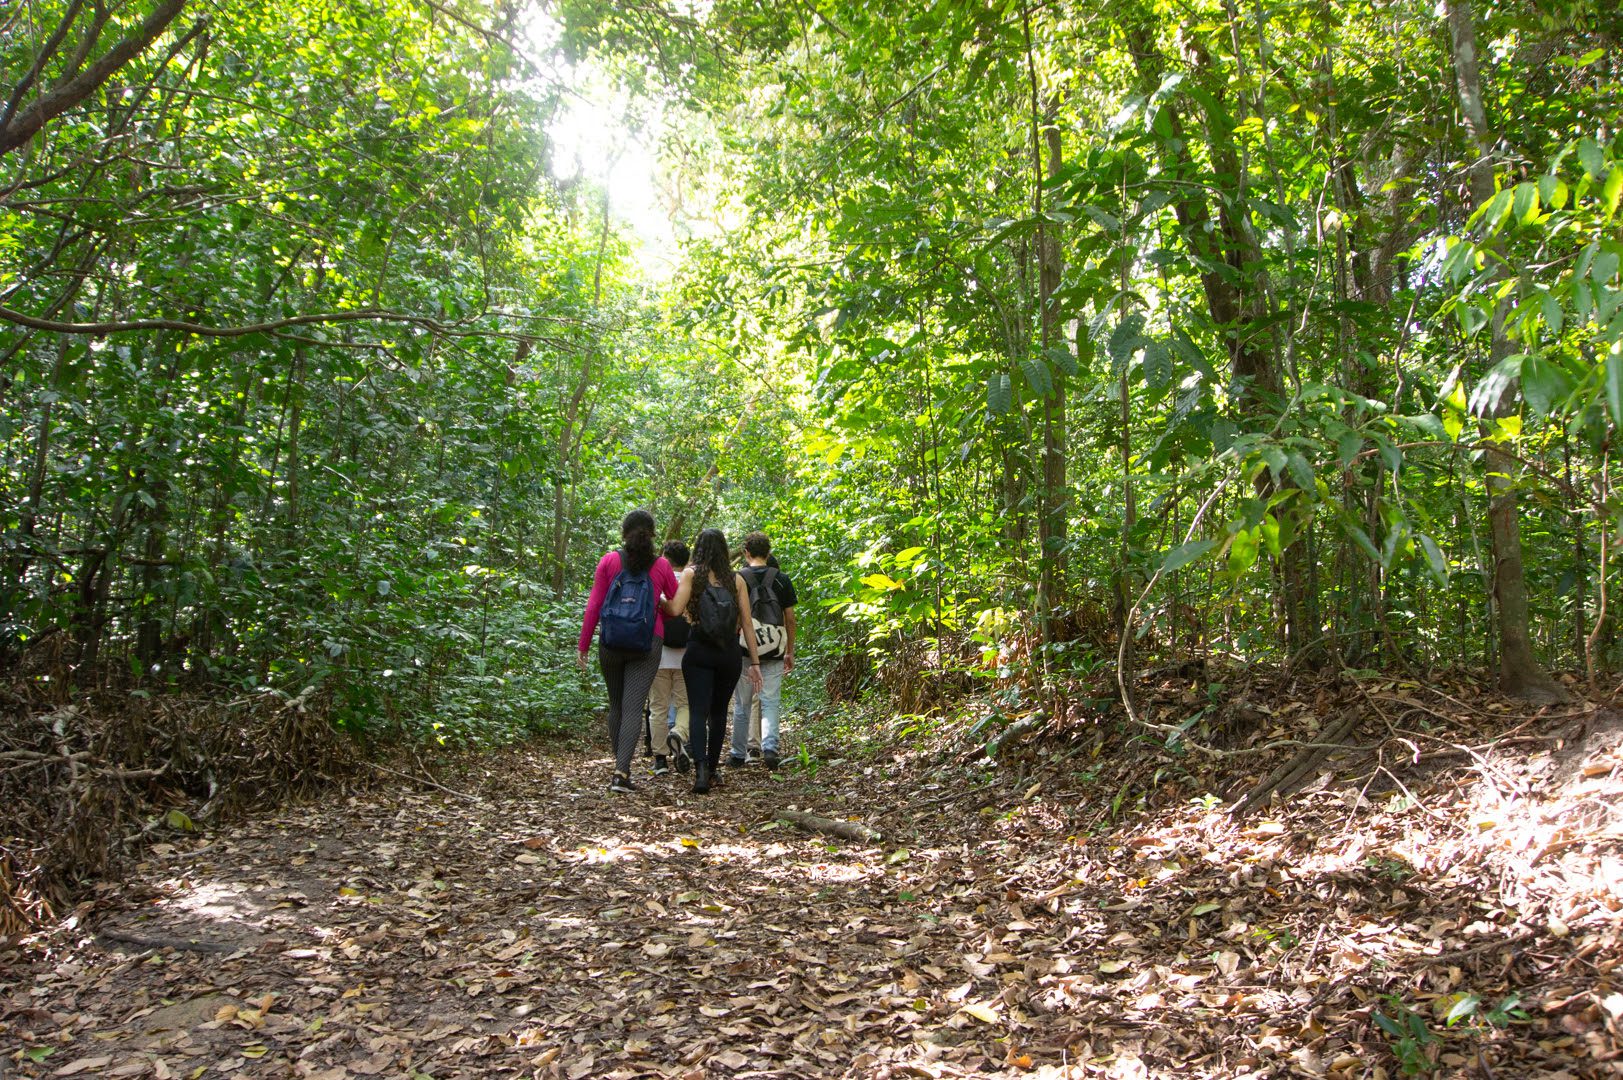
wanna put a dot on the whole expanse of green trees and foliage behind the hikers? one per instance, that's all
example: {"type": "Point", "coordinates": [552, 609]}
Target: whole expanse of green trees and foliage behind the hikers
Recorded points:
{"type": "Point", "coordinates": [1044, 335]}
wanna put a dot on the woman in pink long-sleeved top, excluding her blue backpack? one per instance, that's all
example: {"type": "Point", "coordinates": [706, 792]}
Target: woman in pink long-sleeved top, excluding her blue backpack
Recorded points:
{"type": "Point", "coordinates": [629, 673]}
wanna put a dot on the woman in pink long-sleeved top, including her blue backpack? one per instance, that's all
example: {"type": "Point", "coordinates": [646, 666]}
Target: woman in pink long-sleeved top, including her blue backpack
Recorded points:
{"type": "Point", "coordinates": [637, 576]}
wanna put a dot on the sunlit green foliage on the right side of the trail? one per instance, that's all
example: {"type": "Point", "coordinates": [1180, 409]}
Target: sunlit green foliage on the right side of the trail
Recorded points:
{"type": "Point", "coordinates": [1272, 311]}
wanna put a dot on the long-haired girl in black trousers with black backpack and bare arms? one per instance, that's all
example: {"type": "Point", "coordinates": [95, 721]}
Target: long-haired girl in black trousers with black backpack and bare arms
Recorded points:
{"type": "Point", "coordinates": [717, 602]}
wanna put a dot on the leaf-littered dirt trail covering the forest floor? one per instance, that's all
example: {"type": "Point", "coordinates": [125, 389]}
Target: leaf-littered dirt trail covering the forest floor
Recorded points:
{"type": "Point", "coordinates": [543, 927]}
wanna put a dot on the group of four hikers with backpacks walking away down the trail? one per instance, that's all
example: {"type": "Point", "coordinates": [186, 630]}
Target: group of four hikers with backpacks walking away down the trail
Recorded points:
{"type": "Point", "coordinates": [678, 633]}
